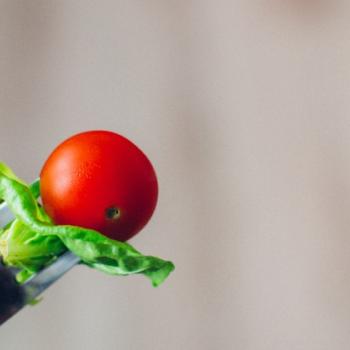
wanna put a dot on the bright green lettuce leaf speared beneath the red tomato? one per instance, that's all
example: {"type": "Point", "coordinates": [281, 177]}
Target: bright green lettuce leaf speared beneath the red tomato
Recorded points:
{"type": "Point", "coordinates": [32, 241]}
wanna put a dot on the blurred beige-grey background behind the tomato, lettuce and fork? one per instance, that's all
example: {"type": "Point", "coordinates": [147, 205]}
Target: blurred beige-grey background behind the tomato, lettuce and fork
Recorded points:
{"type": "Point", "coordinates": [243, 107]}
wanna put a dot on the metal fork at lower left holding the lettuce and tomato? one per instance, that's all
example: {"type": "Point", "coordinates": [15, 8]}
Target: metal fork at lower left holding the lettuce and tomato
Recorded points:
{"type": "Point", "coordinates": [30, 290]}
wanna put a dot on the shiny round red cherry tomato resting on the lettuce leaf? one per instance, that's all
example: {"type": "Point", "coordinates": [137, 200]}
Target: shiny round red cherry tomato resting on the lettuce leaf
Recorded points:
{"type": "Point", "coordinates": [102, 181]}
